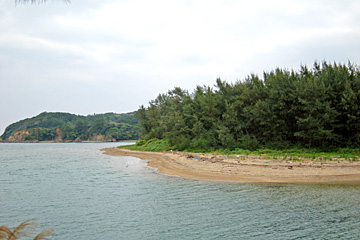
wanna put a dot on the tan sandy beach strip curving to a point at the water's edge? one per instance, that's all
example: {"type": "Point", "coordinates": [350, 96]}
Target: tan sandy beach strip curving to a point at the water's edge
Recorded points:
{"type": "Point", "coordinates": [246, 168]}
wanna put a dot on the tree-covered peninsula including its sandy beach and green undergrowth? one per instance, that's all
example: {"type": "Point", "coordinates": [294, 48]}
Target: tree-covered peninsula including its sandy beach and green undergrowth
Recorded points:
{"type": "Point", "coordinates": [289, 126]}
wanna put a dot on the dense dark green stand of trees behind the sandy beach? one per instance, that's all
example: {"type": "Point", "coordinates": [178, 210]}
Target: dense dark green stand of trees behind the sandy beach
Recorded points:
{"type": "Point", "coordinates": [317, 107]}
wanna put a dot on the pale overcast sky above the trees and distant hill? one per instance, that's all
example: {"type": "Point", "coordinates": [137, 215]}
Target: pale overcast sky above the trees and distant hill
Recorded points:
{"type": "Point", "coordinates": [92, 56]}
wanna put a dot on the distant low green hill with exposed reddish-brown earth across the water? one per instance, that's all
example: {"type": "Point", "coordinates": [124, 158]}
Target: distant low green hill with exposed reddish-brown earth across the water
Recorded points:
{"type": "Point", "coordinates": [70, 127]}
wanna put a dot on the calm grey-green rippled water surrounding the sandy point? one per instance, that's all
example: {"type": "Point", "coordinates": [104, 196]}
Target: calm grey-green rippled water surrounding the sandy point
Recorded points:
{"type": "Point", "coordinates": [85, 194]}
